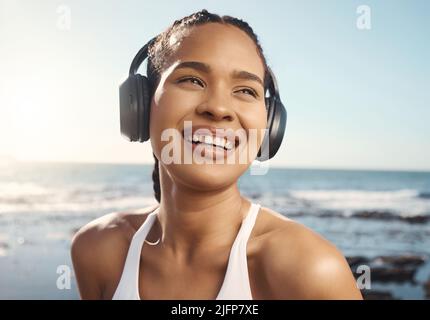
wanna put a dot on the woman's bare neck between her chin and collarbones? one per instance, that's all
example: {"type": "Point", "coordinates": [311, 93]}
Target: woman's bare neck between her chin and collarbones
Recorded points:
{"type": "Point", "coordinates": [193, 220]}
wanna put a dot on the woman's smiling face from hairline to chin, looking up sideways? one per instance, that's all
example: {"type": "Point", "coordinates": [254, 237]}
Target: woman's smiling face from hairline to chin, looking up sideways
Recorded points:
{"type": "Point", "coordinates": [220, 89]}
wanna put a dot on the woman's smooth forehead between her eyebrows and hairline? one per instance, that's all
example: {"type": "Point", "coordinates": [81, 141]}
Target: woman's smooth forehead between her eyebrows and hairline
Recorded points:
{"type": "Point", "coordinates": [219, 45]}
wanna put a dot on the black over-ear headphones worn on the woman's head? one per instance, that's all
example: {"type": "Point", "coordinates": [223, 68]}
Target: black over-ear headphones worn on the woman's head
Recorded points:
{"type": "Point", "coordinates": [135, 104]}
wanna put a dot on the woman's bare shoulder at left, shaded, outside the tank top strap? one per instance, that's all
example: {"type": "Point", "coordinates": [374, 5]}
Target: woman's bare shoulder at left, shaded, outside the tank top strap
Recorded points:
{"type": "Point", "coordinates": [99, 250]}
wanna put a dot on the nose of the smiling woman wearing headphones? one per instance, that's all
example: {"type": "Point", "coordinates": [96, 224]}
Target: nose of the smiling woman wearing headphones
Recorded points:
{"type": "Point", "coordinates": [217, 108]}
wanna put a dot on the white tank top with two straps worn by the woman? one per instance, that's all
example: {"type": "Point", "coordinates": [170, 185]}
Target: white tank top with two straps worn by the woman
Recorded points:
{"type": "Point", "coordinates": [236, 281]}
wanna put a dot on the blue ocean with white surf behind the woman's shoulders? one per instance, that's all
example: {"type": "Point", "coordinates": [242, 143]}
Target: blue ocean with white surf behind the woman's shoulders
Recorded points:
{"type": "Point", "coordinates": [369, 215]}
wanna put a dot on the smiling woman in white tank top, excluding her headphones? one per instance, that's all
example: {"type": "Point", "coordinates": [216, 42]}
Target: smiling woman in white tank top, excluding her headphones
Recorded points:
{"type": "Point", "coordinates": [205, 240]}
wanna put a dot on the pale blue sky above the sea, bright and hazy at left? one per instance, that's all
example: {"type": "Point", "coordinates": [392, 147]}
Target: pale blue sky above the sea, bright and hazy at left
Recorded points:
{"type": "Point", "coordinates": [356, 98]}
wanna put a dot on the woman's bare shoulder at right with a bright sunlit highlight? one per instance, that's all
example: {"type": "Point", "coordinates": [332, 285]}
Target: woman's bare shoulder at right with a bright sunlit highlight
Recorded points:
{"type": "Point", "coordinates": [298, 263]}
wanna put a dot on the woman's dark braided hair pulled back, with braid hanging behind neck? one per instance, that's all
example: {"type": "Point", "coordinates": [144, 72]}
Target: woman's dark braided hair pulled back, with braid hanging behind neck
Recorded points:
{"type": "Point", "coordinates": [160, 51]}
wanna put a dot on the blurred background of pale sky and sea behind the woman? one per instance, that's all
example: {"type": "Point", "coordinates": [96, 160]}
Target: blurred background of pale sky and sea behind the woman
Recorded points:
{"type": "Point", "coordinates": [354, 164]}
